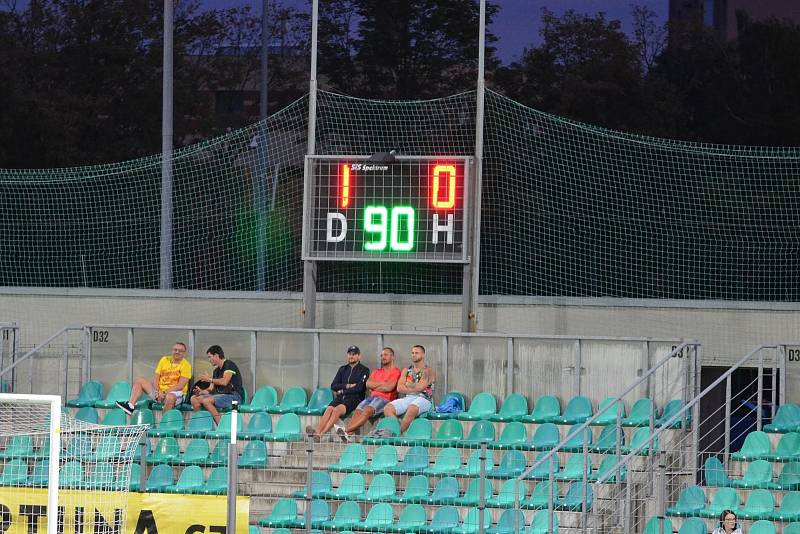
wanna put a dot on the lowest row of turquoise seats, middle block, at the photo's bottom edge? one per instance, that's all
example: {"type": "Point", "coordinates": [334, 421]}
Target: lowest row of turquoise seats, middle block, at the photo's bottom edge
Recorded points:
{"type": "Point", "coordinates": [413, 518]}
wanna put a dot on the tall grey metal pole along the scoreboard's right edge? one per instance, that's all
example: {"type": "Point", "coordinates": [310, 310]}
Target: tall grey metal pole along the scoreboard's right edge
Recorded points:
{"type": "Point", "coordinates": [469, 305]}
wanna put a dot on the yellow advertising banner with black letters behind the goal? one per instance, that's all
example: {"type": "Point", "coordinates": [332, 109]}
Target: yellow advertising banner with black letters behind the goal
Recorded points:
{"type": "Point", "coordinates": [24, 511]}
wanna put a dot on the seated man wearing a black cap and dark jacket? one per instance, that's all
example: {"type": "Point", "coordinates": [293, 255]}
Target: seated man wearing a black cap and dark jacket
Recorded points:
{"type": "Point", "coordinates": [349, 386]}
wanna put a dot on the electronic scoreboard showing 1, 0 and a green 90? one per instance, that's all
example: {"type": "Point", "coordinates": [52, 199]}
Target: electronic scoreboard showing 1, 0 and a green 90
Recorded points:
{"type": "Point", "coordinates": [413, 209]}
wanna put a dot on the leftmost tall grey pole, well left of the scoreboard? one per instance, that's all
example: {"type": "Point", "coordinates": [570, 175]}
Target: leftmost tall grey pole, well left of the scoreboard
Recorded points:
{"type": "Point", "coordinates": [166, 151]}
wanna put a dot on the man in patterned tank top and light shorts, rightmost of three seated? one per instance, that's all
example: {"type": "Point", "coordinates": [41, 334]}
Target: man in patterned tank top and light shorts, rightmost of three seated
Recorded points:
{"type": "Point", "coordinates": [416, 385]}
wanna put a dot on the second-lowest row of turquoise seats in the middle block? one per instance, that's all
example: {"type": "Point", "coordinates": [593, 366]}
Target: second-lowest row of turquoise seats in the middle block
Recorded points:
{"type": "Point", "coordinates": [446, 491]}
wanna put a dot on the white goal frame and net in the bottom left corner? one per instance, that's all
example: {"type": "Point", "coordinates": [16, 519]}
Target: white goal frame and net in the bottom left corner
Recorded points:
{"type": "Point", "coordinates": [61, 475]}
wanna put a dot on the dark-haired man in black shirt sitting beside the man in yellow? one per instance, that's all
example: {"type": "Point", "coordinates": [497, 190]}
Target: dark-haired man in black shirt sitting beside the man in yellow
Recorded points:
{"type": "Point", "coordinates": [219, 390]}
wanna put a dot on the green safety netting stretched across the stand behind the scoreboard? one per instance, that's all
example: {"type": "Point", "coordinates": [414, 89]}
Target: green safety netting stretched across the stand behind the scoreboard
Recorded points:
{"type": "Point", "coordinates": [567, 209]}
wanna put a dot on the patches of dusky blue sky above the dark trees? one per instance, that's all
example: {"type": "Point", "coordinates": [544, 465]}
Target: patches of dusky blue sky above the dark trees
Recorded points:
{"type": "Point", "coordinates": [518, 22]}
